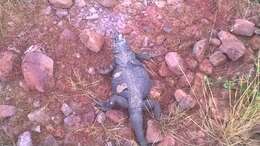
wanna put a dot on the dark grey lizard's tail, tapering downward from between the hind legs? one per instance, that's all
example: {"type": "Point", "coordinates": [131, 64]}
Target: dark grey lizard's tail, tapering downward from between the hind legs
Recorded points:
{"type": "Point", "coordinates": [136, 118]}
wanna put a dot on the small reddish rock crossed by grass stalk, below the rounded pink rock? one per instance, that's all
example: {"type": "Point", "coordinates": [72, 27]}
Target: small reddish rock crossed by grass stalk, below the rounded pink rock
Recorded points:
{"type": "Point", "coordinates": [186, 80]}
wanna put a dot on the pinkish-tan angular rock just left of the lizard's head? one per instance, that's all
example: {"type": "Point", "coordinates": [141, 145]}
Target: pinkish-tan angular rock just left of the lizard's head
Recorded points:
{"type": "Point", "coordinates": [92, 40]}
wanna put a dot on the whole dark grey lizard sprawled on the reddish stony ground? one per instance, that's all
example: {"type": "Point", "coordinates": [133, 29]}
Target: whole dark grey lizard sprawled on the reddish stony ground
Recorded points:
{"type": "Point", "coordinates": [131, 85]}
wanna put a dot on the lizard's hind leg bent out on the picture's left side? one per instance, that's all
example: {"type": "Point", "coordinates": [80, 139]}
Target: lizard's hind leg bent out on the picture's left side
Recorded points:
{"type": "Point", "coordinates": [114, 100]}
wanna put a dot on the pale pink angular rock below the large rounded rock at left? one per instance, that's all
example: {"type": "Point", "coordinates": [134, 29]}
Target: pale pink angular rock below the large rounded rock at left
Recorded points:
{"type": "Point", "coordinates": [40, 116]}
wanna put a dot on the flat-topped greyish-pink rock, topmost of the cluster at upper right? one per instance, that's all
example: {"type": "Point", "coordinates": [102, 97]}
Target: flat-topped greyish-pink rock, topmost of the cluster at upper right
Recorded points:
{"type": "Point", "coordinates": [243, 27]}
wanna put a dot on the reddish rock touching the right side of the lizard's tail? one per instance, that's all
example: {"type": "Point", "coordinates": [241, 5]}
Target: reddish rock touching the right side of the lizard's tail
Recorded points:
{"type": "Point", "coordinates": [153, 133]}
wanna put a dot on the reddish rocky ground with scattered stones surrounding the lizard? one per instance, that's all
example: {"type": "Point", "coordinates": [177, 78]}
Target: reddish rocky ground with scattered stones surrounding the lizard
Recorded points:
{"type": "Point", "coordinates": [50, 51]}
